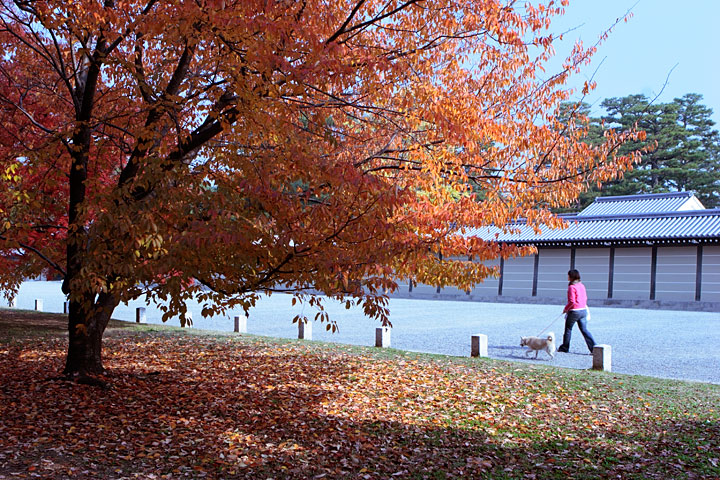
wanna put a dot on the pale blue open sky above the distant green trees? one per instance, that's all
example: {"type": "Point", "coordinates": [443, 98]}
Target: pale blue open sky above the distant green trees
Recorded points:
{"type": "Point", "coordinates": [640, 54]}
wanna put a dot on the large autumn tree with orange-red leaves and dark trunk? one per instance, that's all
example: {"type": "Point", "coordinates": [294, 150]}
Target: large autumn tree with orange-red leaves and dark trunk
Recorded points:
{"type": "Point", "coordinates": [216, 149]}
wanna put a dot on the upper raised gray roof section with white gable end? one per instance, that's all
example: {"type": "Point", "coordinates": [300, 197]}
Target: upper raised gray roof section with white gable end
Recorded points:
{"type": "Point", "coordinates": [647, 203]}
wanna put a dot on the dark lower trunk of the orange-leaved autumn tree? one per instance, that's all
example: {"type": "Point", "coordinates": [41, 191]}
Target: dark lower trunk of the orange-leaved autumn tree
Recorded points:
{"type": "Point", "coordinates": [86, 325]}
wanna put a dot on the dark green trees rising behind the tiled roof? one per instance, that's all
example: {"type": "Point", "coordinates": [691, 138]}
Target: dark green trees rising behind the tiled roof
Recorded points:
{"type": "Point", "coordinates": [682, 149]}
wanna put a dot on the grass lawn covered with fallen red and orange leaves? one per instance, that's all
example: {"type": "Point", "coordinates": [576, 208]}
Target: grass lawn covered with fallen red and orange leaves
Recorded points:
{"type": "Point", "coordinates": [193, 404]}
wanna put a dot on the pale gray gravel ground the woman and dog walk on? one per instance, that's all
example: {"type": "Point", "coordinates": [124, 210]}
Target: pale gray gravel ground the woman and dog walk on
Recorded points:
{"type": "Point", "coordinates": [658, 343]}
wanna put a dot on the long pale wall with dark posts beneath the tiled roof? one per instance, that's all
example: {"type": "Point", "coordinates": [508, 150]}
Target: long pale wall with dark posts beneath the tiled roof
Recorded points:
{"type": "Point", "coordinates": [631, 270]}
